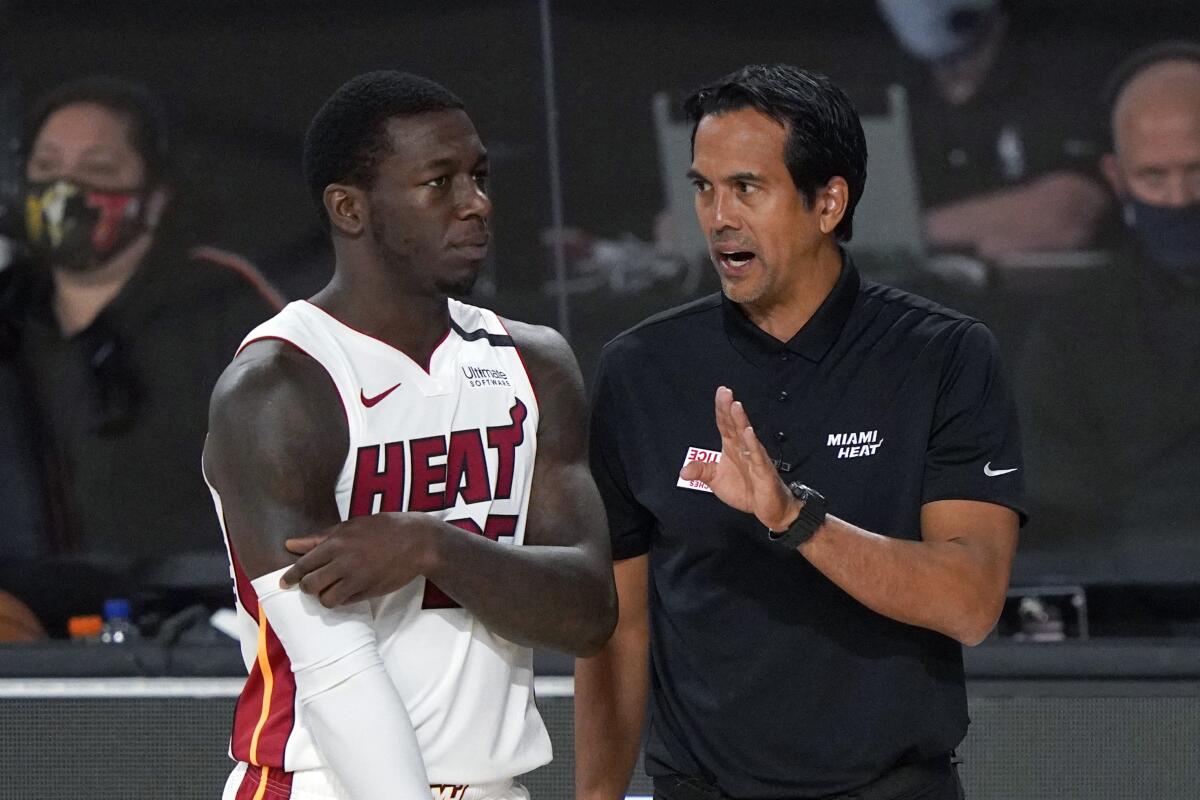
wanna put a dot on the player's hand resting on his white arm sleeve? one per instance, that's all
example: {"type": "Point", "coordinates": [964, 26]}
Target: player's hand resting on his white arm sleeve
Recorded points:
{"type": "Point", "coordinates": [361, 558]}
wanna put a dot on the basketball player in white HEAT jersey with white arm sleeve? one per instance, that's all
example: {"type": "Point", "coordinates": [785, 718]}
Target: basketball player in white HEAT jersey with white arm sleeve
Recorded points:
{"type": "Point", "coordinates": [442, 454]}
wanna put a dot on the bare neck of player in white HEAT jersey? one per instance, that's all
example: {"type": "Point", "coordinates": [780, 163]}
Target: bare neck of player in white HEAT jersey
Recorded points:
{"type": "Point", "coordinates": [412, 323]}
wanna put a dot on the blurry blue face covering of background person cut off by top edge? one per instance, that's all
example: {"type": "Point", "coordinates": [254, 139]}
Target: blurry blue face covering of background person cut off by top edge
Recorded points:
{"type": "Point", "coordinates": [938, 31]}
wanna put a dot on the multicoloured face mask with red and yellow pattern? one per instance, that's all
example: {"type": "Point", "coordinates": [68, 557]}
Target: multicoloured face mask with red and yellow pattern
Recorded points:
{"type": "Point", "coordinates": [77, 228]}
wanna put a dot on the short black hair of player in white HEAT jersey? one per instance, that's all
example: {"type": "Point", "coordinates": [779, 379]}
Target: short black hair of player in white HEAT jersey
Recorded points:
{"type": "Point", "coordinates": [349, 137]}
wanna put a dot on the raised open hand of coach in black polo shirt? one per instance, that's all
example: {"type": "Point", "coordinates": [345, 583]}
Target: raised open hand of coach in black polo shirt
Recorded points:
{"type": "Point", "coordinates": [745, 478]}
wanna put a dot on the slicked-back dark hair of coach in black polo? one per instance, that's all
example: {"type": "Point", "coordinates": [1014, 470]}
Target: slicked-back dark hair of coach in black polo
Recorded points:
{"type": "Point", "coordinates": [825, 137]}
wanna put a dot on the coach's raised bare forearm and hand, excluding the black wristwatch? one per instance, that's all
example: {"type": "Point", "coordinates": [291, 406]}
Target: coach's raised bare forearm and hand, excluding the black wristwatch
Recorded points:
{"type": "Point", "coordinates": [952, 582]}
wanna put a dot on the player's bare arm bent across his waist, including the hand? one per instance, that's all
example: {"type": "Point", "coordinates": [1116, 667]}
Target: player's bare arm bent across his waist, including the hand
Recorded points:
{"type": "Point", "coordinates": [555, 592]}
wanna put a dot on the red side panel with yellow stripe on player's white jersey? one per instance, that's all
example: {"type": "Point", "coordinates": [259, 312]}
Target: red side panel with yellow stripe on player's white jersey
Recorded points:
{"type": "Point", "coordinates": [277, 730]}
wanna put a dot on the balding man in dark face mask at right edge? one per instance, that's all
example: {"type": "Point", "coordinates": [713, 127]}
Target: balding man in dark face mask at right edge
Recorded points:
{"type": "Point", "coordinates": [1109, 381]}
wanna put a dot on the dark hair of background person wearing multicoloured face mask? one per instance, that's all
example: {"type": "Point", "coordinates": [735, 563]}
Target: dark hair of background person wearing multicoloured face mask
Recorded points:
{"type": "Point", "coordinates": [129, 100]}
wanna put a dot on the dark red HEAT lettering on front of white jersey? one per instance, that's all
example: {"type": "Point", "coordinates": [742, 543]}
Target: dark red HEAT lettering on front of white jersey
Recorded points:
{"type": "Point", "coordinates": [435, 488]}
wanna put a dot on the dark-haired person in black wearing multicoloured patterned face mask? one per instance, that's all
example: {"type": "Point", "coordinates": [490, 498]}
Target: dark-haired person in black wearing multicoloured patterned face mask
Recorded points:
{"type": "Point", "coordinates": [121, 326]}
